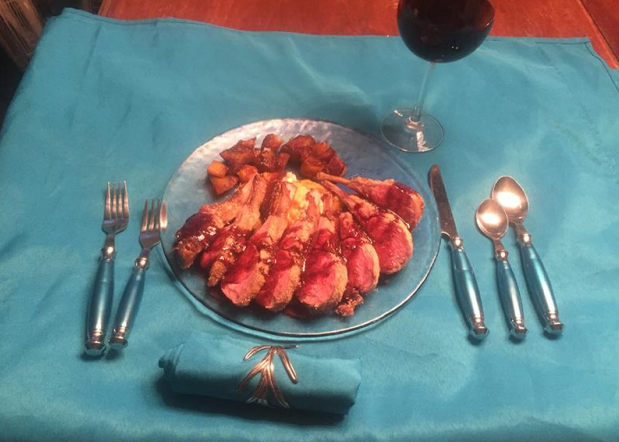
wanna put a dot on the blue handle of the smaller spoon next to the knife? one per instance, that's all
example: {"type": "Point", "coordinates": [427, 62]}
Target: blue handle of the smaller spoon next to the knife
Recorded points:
{"type": "Point", "coordinates": [510, 298]}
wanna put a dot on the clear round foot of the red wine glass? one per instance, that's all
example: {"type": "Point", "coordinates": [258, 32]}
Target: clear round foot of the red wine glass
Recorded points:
{"type": "Point", "coordinates": [412, 136]}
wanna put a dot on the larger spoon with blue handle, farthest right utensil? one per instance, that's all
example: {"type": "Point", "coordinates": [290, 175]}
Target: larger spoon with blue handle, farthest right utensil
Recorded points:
{"type": "Point", "coordinates": [511, 196]}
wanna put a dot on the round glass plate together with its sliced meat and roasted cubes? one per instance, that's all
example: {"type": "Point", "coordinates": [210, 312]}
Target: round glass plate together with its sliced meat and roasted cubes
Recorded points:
{"type": "Point", "coordinates": [300, 228]}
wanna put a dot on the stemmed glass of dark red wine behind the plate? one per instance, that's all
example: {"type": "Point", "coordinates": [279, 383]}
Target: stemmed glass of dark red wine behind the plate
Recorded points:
{"type": "Point", "coordinates": [438, 31]}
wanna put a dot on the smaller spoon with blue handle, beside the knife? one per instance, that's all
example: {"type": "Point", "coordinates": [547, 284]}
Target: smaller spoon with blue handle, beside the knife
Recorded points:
{"type": "Point", "coordinates": [492, 221]}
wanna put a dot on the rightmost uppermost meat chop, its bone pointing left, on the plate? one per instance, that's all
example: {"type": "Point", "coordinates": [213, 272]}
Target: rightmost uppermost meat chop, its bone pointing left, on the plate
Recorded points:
{"type": "Point", "coordinates": [387, 194]}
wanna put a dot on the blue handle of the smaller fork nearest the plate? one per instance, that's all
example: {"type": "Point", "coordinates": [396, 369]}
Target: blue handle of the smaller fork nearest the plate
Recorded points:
{"type": "Point", "coordinates": [128, 308]}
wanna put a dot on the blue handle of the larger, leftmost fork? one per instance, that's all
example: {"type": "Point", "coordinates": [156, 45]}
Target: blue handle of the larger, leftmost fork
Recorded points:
{"type": "Point", "coordinates": [99, 307]}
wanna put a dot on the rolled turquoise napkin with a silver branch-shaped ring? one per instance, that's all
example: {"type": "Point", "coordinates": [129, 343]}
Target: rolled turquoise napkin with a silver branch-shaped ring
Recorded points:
{"type": "Point", "coordinates": [278, 376]}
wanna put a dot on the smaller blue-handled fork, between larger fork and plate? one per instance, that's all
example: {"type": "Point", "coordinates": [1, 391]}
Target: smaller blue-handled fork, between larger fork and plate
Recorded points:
{"type": "Point", "coordinates": [154, 221]}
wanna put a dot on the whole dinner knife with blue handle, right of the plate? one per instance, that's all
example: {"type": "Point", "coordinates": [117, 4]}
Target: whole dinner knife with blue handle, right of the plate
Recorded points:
{"type": "Point", "coordinates": [465, 283]}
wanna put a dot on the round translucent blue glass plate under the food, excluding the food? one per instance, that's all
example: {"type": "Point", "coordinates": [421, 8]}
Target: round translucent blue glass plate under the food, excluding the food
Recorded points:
{"type": "Point", "coordinates": [365, 156]}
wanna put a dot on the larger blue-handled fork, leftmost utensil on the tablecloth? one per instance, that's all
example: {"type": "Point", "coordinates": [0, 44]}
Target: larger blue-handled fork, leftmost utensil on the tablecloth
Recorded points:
{"type": "Point", "coordinates": [115, 220]}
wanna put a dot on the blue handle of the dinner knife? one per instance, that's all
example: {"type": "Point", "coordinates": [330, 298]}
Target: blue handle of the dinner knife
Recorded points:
{"type": "Point", "coordinates": [467, 291]}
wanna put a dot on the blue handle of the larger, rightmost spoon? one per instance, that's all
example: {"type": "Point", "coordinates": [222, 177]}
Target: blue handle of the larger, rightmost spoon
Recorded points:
{"type": "Point", "coordinates": [540, 288]}
